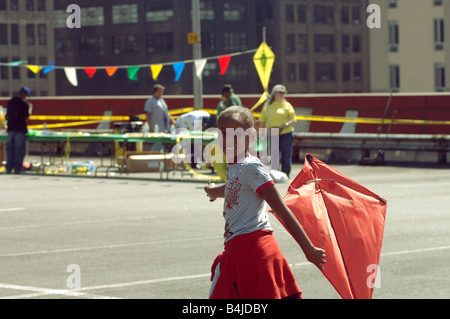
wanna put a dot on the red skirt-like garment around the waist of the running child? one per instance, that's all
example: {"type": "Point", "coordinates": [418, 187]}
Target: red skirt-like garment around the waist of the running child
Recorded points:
{"type": "Point", "coordinates": [252, 267]}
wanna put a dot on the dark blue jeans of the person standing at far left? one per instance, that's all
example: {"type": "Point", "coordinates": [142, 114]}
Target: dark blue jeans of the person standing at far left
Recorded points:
{"type": "Point", "coordinates": [15, 151]}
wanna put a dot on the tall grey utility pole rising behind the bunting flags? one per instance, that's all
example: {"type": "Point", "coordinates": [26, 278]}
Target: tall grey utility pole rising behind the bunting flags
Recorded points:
{"type": "Point", "coordinates": [197, 53]}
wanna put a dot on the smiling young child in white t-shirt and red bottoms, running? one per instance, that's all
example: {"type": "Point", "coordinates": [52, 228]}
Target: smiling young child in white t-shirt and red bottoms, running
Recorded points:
{"type": "Point", "coordinates": [252, 265]}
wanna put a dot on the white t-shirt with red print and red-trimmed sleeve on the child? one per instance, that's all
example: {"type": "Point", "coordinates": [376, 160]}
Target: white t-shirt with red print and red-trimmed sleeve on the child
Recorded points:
{"type": "Point", "coordinates": [244, 209]}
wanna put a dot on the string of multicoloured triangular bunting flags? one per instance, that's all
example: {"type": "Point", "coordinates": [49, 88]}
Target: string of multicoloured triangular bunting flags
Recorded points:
{"type": "Point", "coordinates": [178, 67]}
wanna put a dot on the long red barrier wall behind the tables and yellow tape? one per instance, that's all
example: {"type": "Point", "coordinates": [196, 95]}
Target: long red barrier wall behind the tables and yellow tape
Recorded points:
{"type": "Point", "coordinates": [428, 107]}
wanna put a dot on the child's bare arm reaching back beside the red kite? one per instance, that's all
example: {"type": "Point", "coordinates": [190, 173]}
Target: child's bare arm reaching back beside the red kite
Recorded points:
{"type": "Point", "coordinates": [313, 254]}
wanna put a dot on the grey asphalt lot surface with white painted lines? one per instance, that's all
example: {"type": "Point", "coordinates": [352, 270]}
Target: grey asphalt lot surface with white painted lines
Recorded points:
{"type": "Point", "coordinates": [146, 238]}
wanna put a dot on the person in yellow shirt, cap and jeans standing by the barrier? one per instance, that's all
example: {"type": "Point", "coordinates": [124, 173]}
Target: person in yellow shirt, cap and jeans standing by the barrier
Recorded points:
{"type": "Point", "coordinates": [281, 116]}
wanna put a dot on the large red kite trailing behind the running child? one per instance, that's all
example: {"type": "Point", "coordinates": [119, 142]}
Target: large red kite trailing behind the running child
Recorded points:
{"type": "Point", "coordinates": [343, 218]}
